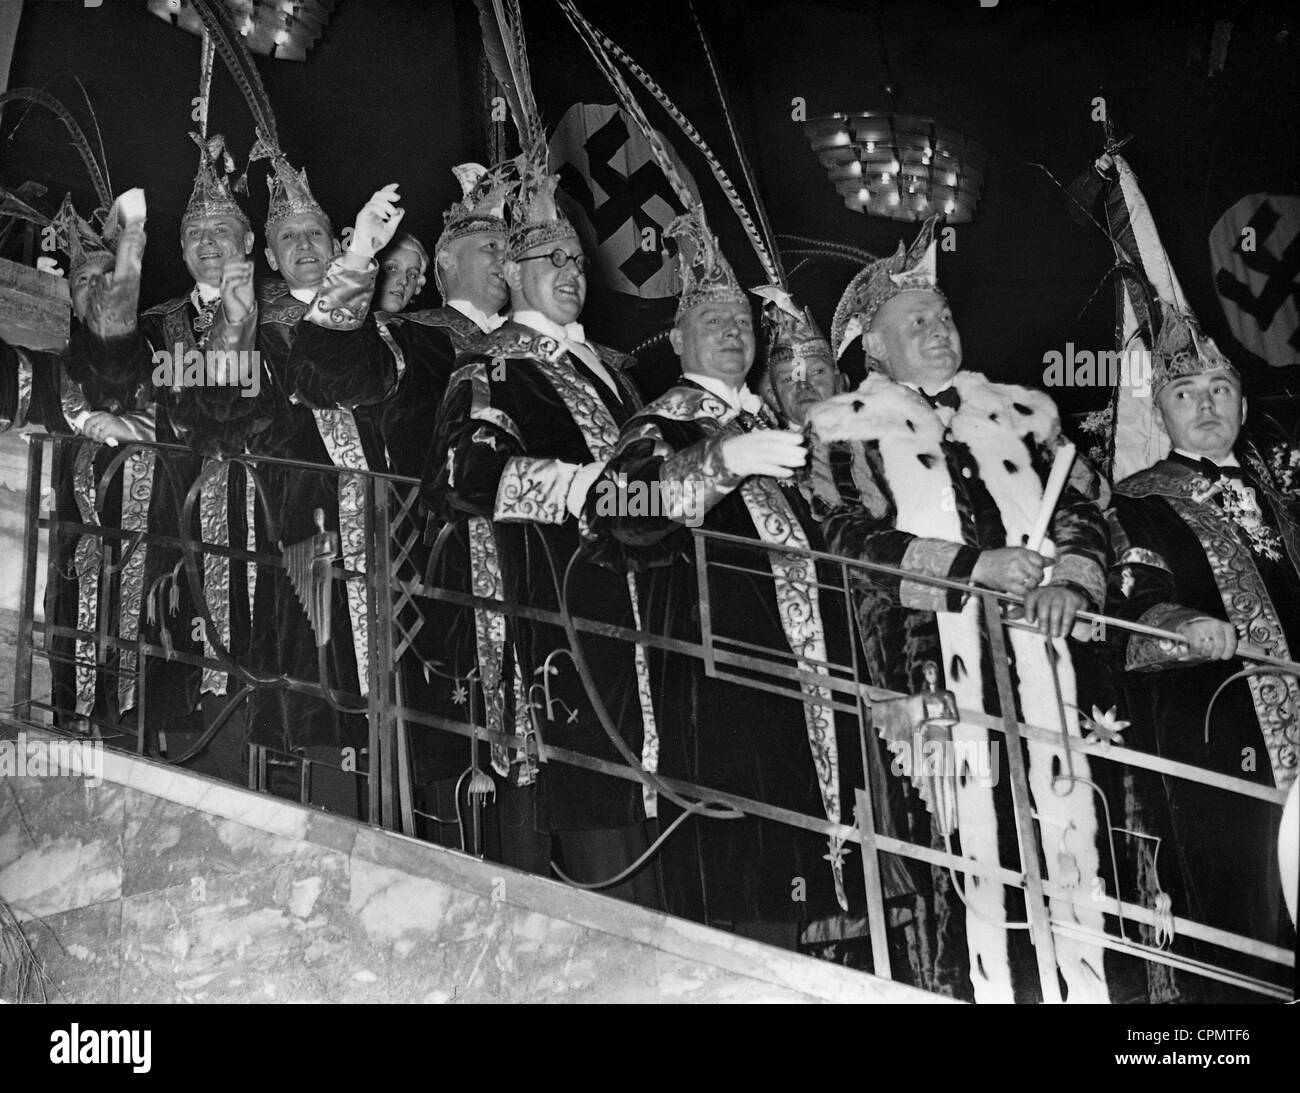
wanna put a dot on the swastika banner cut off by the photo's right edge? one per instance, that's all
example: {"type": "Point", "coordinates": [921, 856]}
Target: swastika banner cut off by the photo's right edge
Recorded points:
{"type": "Point", "coordinates": [1255, 257]}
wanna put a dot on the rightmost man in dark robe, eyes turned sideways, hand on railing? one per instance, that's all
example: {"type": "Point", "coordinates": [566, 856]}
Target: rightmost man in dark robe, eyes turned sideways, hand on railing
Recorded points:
{"type": "Point", "coordinates": [1208, 548]}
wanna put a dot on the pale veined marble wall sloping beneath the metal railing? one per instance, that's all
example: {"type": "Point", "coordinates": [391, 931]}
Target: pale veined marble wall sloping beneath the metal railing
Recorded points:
{"type": "Point", "coordinates": [164, 887]}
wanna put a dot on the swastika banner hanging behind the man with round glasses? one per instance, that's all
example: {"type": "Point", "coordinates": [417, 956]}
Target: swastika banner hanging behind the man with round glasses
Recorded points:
{"type": "Point", "coordinates": [625, 202]}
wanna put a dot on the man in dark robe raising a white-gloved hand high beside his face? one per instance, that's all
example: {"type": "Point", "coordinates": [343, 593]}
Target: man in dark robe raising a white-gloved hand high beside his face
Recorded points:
{"type": "Point", "coordinates": [324, 413]}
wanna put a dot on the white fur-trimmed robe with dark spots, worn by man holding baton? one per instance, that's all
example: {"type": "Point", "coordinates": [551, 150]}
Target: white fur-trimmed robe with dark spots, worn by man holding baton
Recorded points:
{"type": "Point", "coordinates": [928, 491]}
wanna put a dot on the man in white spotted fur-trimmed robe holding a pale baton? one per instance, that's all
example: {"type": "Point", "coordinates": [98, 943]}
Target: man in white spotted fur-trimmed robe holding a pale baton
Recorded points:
{"type": "Point", "coordinates": [941, 474]}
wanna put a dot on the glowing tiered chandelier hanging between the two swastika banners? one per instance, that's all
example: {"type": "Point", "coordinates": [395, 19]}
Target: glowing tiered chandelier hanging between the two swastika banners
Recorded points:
{"type": "Point", "coordinates": [900, 167]}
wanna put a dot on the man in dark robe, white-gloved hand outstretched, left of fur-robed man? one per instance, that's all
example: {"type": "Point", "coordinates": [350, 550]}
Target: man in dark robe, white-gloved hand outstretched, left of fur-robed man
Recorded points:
{"type": "Point", "coordinates": [709, 456]}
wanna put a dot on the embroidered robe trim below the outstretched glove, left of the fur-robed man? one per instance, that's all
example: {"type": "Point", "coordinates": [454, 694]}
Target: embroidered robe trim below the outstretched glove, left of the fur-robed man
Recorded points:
{"type": "Point", "coordinates": [795, 579]}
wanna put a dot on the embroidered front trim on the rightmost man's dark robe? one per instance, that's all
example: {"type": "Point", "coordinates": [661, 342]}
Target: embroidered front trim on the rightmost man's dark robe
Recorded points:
{"type": "Point", "coordinates": [1277, 699]}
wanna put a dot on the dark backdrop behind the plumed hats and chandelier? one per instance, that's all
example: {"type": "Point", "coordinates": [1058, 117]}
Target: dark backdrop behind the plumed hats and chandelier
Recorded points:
{"type": "Point", "coordinates": [392, 94]}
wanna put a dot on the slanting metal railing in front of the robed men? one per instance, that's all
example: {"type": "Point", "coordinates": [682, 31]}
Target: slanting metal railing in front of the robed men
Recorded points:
{"type": "Point", "coordinates": [401, 600]}
